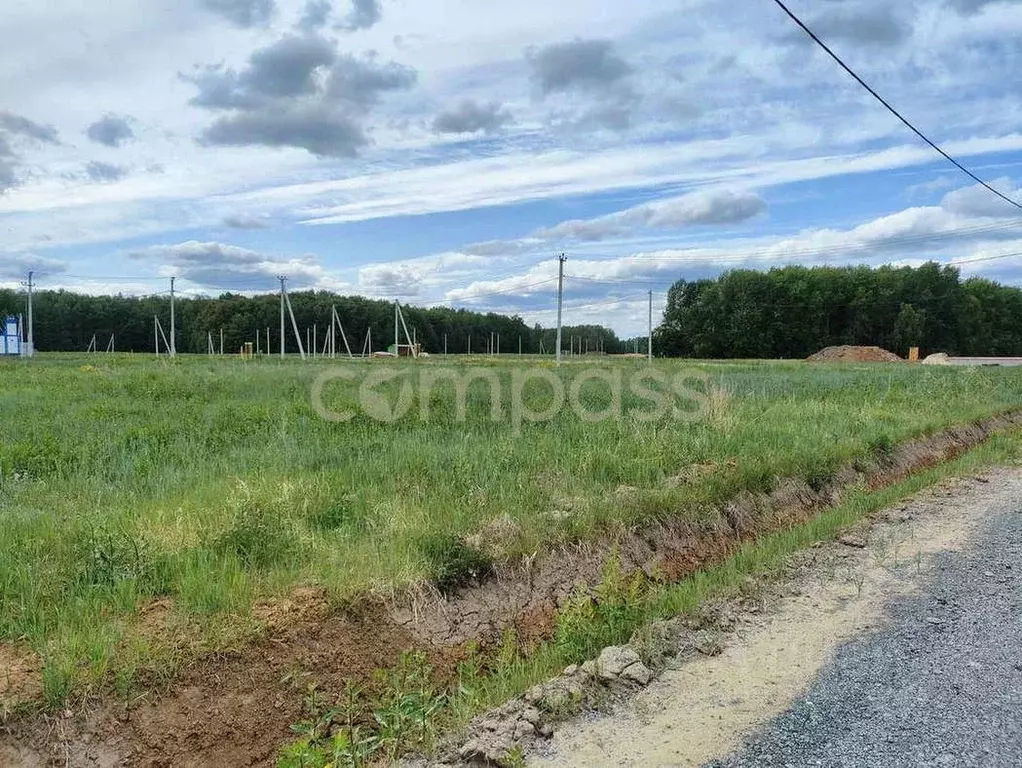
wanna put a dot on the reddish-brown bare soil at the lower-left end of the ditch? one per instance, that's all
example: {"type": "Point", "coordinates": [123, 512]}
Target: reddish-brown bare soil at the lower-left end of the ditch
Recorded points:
{"type": "Point", "coordinates": [227, 710]}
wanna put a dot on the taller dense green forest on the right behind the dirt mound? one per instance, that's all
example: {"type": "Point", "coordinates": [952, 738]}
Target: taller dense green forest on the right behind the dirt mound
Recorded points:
{"type": "Point", "coordinates": [793, 312]}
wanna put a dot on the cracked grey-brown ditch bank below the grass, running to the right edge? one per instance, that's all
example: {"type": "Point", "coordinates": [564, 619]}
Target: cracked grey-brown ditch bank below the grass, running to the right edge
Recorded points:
{"type": "Point", "coordinates": [528, 596]}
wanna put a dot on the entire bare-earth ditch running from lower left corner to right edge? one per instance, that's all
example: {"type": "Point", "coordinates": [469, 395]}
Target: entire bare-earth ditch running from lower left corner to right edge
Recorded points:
{"type": "Point", "coordinates": [238, 709]}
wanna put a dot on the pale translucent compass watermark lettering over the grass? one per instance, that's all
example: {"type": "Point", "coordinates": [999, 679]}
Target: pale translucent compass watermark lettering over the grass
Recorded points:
{"type": "Point", "coordinates": [517, 396]}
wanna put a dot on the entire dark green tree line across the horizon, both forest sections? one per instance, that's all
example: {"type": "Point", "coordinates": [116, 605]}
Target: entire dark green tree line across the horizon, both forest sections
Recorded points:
{"type": "Point", "coordinates": [787, 312]}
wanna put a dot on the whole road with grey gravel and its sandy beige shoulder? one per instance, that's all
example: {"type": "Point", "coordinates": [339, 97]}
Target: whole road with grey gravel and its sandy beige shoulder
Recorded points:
{"type": "Point", "coordinates": [901, 649]}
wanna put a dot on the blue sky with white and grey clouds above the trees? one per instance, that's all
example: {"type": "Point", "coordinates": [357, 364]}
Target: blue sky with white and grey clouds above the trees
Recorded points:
{"type": "Point", "coordinates": [447, 152]}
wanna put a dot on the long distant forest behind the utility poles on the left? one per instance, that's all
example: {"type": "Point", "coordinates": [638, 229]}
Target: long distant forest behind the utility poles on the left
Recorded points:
{"type": "Point", "coordinates": [65, 322]}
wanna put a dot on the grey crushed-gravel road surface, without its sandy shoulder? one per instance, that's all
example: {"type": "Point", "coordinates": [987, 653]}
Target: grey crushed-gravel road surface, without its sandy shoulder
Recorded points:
{"type": "Point", "coordinates": [940, 686]}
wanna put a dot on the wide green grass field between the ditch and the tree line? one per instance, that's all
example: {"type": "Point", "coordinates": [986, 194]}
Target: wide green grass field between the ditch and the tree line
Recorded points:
{"type": "Point", "coordinates": [215, 482]}
